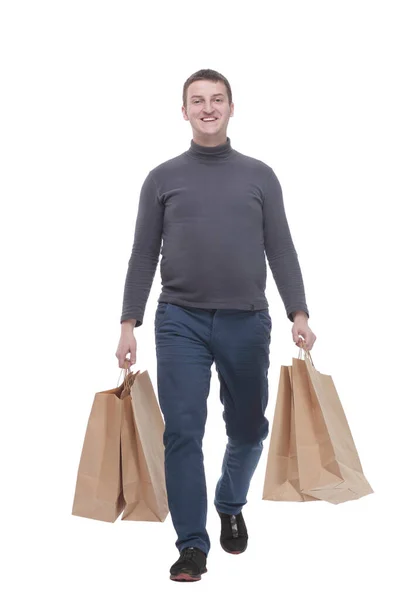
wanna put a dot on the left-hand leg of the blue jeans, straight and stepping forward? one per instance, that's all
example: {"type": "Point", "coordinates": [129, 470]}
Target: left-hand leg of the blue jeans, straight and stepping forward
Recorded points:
{"type": "Point", "coordinates": [183, 379]}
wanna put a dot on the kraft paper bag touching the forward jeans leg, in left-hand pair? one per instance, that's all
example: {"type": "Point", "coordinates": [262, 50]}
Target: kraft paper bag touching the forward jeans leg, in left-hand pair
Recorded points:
{"type": "Point", "coordinates": [143, 474]}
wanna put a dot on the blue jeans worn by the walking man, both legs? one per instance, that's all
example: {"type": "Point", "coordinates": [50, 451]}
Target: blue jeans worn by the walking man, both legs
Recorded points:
{"type": "Point", "coordinates": [188, 341]}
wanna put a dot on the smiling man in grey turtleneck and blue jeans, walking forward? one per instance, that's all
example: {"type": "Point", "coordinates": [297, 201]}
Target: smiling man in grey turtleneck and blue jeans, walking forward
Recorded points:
{"type": "Point", "coordinates": [216, 212]}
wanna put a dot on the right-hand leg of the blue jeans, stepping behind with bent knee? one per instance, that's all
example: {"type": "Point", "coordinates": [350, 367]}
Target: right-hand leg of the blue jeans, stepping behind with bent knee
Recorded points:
{"type": "Point", "coordinates": [240, 345]}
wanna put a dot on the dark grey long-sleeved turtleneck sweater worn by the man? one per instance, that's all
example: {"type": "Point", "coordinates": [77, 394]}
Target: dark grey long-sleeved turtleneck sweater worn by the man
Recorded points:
{"type": "Point", "coordinates": [215, 211]}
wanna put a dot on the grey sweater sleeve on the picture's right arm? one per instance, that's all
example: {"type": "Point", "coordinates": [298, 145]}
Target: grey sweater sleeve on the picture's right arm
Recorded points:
{"type": "Point", "coordinates": [280, 250]}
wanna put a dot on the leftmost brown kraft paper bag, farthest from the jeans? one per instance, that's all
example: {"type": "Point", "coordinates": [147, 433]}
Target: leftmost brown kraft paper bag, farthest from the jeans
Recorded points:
{"type": "Point", "coordinates": [98, 490]}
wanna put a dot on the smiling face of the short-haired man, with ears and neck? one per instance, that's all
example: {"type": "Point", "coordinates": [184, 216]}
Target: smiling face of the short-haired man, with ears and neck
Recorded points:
{"type": "Point", "coordinates": [208, 99]}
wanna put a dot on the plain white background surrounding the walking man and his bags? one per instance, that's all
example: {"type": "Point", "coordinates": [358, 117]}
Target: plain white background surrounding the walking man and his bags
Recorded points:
{"type": "Point", "coordinates": [91, 101]}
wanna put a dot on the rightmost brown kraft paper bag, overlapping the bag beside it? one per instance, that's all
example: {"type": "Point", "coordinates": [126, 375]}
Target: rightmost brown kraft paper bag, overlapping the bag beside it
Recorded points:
{"type": "Point", "coordinates": [329, 465]}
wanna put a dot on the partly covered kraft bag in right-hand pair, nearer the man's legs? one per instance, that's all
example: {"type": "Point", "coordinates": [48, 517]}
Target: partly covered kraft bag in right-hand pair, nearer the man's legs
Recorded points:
{"type": "Point", "coordinates": [282, 474]}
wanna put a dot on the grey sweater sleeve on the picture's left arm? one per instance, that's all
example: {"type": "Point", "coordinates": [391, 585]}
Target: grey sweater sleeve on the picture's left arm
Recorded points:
{"type": "Point", "coordinates": [145, 253]}
